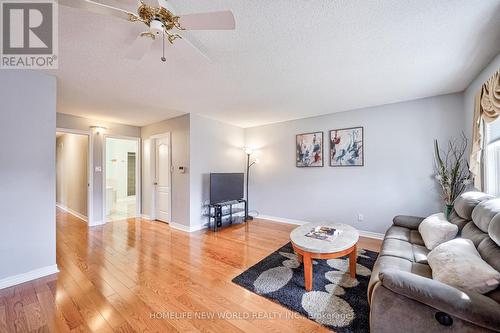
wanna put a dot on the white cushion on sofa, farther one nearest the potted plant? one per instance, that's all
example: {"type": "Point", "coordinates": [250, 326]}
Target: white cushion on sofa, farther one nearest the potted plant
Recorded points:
{"type": "Point", "coordinates": [435, 230]}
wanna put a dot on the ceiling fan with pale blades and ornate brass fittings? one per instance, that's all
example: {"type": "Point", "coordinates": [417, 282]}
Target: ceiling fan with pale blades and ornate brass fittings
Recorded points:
{"type": "Point", "coordinates": [162, 22]}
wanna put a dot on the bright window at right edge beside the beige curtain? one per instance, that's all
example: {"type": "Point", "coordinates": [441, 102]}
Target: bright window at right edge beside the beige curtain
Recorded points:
{"type": "Point", "coordinates": [492, 158]}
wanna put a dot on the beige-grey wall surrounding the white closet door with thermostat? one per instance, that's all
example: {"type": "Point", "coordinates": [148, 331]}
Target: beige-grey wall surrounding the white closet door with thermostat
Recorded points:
{"type": "Point", "coordinates": [179, 129]}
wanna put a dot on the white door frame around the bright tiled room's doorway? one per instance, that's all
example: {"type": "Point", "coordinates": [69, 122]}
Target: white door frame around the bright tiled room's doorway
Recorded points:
{"type": "Point", "coordinates": [137, 173]}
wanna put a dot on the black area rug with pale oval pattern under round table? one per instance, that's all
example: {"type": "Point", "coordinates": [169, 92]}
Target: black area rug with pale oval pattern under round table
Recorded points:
{"type": "Point", "coordinates": [336, 301]}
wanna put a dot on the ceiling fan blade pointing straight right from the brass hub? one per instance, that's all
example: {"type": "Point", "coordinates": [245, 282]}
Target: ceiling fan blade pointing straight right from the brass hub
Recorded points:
{"type": "Point", "coordinates": [223, 20]}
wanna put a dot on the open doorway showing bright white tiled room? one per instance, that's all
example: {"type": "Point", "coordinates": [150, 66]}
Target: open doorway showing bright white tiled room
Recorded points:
{"type": "Point", "coordinates": [121, 188]}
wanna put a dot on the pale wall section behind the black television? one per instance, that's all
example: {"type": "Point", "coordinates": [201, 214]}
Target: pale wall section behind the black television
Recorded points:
{"type": "Point", "coordinates": [214, 147]}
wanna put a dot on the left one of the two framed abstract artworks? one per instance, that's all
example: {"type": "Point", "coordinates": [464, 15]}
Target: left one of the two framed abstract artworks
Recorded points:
{"type": "Point", "coordinates": [309, 150]}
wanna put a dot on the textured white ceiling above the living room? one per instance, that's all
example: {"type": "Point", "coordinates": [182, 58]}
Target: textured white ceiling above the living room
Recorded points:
{"type": "Point", "coordinates": [287, 59]}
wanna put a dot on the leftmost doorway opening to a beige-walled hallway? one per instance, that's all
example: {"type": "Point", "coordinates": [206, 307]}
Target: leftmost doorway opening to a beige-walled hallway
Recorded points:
{"type": "Point", "coordinates": [73, 193]}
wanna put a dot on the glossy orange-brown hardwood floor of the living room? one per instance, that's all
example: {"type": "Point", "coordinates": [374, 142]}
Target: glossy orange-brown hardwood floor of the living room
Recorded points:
{"type": "Point", "coordinates": [143, 276]}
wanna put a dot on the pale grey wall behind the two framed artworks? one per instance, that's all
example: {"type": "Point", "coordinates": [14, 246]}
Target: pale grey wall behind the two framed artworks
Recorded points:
{"type": "Point", "coordinates": [397, 177]}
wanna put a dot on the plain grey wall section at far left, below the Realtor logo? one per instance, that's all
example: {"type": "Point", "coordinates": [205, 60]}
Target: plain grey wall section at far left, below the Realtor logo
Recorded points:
{"type": "Point", "coordinates": [27, 169]}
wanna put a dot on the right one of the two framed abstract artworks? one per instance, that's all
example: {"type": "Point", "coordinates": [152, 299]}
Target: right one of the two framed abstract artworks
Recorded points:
{"type": "Point", "coordinates": [347, 147]}
